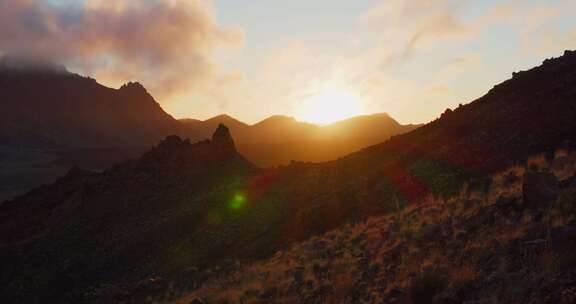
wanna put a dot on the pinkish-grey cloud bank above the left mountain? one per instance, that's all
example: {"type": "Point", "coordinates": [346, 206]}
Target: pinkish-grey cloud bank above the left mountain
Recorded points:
{"type": "Point", "coordinates": [169, 45]}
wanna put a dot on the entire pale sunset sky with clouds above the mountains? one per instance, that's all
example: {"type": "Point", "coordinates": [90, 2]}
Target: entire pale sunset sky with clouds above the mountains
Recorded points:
{"type": "Point", "coordinates": [251, 59]}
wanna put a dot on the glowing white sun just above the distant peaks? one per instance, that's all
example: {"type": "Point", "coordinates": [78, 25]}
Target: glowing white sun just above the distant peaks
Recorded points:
{"type": "Point", "coordinates": [330, 105]}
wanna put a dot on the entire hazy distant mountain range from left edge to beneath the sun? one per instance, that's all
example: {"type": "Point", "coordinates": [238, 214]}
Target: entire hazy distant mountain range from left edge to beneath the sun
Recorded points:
{"type": "Point", "coordinates": [51, 119]}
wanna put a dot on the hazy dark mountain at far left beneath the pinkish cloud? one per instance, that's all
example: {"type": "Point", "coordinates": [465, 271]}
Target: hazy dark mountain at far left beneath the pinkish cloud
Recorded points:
{"type": "Point", "coordinates": [51, 119]}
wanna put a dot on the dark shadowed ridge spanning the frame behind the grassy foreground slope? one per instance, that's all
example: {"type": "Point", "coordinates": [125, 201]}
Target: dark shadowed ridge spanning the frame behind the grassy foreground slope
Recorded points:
{"type": "Point", "coordinates": [147, 225]}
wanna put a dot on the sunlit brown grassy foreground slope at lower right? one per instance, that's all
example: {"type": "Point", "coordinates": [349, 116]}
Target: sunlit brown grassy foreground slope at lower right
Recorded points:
{"type": "Point", "coordinates": [512, 242]}
